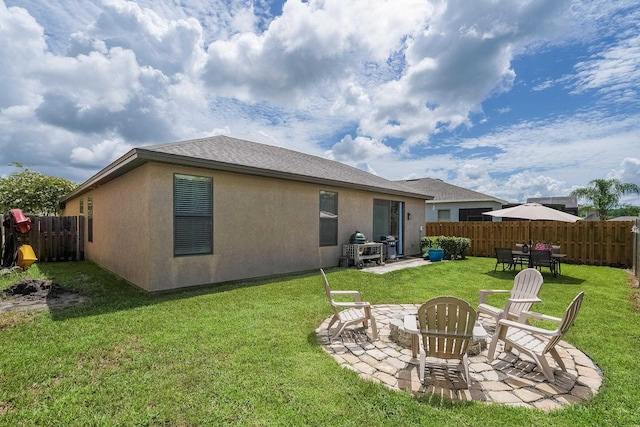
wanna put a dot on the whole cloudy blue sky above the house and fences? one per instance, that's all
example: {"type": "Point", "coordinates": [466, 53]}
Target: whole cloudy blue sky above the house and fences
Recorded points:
{"type": "Point", "coordinates": [514, 99]}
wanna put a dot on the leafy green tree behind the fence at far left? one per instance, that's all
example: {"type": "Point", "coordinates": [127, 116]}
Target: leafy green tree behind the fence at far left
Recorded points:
{"type": "Point", "coordinates": [33, 192]}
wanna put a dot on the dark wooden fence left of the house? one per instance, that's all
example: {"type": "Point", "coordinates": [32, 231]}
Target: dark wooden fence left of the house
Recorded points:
{"type": "Point", "coordinates": [55, 238]}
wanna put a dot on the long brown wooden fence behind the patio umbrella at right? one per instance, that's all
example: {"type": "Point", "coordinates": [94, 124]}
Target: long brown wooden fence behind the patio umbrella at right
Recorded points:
{"type": "Point", "coordinates": [585, 242]}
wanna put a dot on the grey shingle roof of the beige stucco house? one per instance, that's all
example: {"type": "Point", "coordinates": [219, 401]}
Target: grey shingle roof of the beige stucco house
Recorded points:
{"type": "Point", "coordinates": [236, 155]}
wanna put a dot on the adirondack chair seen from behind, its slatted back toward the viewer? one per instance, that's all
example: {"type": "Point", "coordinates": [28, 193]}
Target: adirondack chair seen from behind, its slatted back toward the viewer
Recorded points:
{"type": "Point", "coordinates": [446, 327]}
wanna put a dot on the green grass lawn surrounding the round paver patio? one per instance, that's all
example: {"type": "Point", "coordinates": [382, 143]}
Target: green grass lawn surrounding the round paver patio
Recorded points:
{"type": "Point", "coordinates": [246, 353]}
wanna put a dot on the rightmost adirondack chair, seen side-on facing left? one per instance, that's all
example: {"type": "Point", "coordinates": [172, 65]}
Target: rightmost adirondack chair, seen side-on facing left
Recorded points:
{"type": "Point", "coordinates": [537, 342]}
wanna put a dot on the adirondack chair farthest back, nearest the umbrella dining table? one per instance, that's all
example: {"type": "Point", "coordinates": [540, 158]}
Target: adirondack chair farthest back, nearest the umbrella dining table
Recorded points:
{"type": "Point", "coordinates": [526, 286]}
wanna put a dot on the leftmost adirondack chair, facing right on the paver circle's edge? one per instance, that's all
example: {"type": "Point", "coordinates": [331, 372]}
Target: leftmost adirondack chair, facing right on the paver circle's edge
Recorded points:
{"type": "Point", "coordinates": [348, 312]}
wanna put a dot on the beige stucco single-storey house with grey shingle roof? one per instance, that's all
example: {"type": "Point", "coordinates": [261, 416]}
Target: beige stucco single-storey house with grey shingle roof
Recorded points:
{"type": "Point", "coordinates": [218, 209]}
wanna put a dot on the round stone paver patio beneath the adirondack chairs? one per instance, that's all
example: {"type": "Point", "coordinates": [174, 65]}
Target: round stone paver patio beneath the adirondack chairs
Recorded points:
{"type": "Point", "coordinates": [509, 380]}
